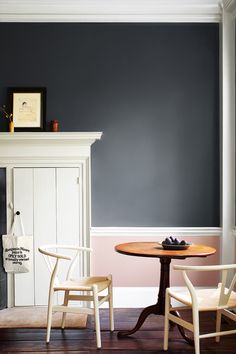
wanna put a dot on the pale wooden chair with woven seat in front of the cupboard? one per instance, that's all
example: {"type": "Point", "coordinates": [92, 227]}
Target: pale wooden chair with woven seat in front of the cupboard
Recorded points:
{"type": "Point", "coordinates": [85, 289]}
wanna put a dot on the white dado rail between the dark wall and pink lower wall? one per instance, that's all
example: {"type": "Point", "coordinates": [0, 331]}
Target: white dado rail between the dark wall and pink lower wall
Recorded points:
{"type": "Point", "coordinates": [146, 232]}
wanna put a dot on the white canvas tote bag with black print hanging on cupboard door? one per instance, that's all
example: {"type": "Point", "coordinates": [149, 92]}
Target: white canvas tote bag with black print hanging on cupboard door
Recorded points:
{"type": "Point", "coordinates": [17, 250]}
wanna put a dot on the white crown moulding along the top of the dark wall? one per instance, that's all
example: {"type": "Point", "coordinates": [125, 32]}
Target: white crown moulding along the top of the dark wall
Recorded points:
{"type": "Point", "coordinates": [110, 11]}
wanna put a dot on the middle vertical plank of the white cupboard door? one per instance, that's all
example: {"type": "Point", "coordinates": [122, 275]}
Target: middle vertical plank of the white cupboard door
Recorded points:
{"type": "Point", "coordinates": [44, 227]}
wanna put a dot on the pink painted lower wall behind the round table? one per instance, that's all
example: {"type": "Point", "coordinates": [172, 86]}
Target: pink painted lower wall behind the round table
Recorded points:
{"type": "Point", "coordinates": [129, 271]}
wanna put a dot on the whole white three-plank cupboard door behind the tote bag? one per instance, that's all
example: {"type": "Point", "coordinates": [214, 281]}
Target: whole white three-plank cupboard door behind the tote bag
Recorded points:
{"type": "Point", "coordinates": [50, 202]}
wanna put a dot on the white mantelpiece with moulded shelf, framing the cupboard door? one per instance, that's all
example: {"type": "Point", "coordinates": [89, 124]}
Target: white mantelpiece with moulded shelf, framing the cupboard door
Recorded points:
{"type": "Point", "coordinates": [55, 150]}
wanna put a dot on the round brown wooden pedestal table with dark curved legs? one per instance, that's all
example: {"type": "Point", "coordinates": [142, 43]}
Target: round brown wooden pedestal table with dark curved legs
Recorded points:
{"type": "Point", "coordinates": [154, 249]}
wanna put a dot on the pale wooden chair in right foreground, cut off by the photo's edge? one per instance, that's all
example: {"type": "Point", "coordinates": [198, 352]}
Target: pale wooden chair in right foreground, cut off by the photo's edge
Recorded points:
{"type": "Point", "coordinates": [219, 299]}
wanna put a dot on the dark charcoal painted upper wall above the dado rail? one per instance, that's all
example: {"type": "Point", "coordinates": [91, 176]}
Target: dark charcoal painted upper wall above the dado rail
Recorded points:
{"type": "Point", "coordinates": [153, 89]}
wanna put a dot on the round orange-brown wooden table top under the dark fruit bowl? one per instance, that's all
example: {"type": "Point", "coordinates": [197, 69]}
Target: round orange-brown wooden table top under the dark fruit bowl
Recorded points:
{"type": "Point", "coordinates": [154, 249]}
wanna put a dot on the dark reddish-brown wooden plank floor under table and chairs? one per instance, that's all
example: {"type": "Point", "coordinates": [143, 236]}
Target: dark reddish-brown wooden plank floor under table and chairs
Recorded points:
{"type": "Point", "coordinates": [149, 339]}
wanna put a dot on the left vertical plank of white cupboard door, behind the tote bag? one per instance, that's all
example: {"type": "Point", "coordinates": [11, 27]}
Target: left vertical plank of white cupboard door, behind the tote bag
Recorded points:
{"type": "Point", "coordinates": [23, 201]}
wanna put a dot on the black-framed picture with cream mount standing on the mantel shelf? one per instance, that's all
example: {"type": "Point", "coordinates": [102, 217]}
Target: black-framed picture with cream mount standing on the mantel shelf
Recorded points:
{"type": "Point", "coordinates": [28, 106]}
